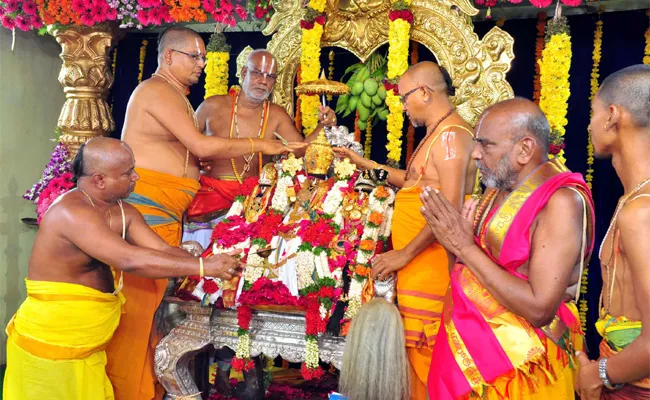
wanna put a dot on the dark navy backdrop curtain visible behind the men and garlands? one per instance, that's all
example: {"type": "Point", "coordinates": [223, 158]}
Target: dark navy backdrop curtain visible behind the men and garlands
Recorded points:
{"type": "Point", "coordinates": [623, 44]}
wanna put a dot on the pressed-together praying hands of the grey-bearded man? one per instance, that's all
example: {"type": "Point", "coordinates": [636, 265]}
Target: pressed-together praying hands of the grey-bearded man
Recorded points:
{"type": "Point", "coordinates": [453, 230]}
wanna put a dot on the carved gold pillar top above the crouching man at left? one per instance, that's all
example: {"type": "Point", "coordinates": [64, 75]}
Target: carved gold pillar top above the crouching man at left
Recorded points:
{"type": "Point", "coordinates": [86, 78]}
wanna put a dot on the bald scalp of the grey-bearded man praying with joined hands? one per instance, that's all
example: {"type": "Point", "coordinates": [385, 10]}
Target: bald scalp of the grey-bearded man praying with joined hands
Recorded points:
{"type": "Point", "coordinates": [520, 117]}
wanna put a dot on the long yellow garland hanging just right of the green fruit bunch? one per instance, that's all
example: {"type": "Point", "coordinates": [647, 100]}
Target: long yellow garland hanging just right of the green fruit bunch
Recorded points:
{"type": "Point", "coordinates": [399, 29]}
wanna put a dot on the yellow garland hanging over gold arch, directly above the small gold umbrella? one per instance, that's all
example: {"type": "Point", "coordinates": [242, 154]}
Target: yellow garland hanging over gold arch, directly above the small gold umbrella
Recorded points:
{"type": "Point", "coordinates": [312, 30]}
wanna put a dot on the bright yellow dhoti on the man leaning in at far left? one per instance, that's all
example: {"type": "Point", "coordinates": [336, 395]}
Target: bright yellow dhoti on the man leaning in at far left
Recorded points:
{"type": "Point", "coordinates": [56, 342]}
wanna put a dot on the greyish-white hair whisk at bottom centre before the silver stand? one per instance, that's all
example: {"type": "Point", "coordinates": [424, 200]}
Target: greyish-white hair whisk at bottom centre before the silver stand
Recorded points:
{"type": "Point", "coordinates": [375, 366]}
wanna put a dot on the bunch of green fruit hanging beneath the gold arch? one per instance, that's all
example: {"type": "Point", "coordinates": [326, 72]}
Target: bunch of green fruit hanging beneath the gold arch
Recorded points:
{"type": "Point", "coordinates": [367, 93]}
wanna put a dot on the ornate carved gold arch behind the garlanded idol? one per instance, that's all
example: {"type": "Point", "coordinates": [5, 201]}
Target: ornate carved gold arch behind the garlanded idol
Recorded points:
{"type": "Point", "coordinates": [477, 67]}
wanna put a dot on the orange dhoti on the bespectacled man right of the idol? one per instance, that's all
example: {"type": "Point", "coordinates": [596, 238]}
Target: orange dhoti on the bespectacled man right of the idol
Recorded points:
{"type": "Point", "coordinates": [421, 288]}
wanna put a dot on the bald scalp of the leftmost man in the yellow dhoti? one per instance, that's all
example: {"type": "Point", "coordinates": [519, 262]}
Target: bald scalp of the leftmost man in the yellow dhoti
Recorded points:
{"type": "Point", "coordinates": [99, 155]}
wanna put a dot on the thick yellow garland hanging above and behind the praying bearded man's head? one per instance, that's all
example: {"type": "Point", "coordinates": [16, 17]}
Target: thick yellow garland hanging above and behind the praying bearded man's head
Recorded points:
{"type": "Point", "coordinates": [554, 78]}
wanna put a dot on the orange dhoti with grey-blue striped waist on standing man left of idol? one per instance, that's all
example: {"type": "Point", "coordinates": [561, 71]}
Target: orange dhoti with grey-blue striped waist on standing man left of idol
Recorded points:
{"type": "Point", "coordinates": [162, 199]}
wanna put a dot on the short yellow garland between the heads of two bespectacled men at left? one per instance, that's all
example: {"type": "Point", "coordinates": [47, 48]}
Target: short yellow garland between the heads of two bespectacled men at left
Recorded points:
{"type": "Point", "coordinates": [216, 69]}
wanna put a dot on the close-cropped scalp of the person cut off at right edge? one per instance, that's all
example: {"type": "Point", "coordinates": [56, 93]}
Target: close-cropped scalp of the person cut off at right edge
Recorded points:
{"type": "Point", "coordinates": [629, 88]}
